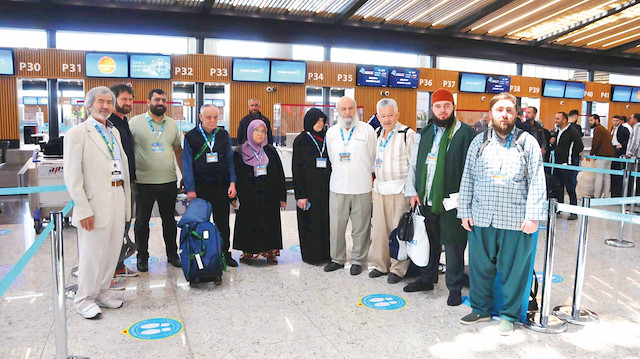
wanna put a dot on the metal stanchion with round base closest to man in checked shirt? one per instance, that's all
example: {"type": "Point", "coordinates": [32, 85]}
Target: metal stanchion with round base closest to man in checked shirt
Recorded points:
{"type": "Point", "coordinates": [542, 322]}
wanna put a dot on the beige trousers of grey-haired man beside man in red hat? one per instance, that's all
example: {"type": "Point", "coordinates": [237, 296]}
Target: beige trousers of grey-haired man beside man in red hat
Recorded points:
{"type": "Point", "coordinates": [387, 210]}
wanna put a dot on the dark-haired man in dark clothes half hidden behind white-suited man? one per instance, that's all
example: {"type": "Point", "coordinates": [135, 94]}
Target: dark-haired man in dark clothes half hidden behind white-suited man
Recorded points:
{"type": "Point", "coordinates": [124, 101]}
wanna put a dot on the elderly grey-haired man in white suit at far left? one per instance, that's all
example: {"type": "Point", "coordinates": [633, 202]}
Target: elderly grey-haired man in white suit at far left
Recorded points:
{"type": "Point", "coordinates": [96, 173]}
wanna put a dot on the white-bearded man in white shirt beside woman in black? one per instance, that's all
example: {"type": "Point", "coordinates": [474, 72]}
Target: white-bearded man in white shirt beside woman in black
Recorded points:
{"type": "Point", "coordinates": [351, 146]}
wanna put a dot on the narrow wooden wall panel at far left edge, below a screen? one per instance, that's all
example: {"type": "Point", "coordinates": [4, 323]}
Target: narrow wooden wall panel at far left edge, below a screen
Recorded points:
{"type": "Point", "coordinates": [9, 124]}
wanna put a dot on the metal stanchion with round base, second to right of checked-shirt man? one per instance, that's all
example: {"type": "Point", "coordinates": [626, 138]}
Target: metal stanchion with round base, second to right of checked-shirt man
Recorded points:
{"type": "Point", "coordinates": [574, 314]}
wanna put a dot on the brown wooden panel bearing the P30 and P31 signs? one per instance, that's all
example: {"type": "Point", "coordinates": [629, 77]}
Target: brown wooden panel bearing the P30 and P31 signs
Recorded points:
{"type": "Point", "coordinates": [49, 63]}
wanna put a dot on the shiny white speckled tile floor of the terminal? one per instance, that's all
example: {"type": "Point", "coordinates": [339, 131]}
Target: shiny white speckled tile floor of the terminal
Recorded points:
{"type": "Point", "coordinates": [295, 310]}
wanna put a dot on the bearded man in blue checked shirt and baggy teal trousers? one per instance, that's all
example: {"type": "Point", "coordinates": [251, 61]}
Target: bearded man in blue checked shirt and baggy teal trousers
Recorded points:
{"type": "Point", "coordinates": [502, 198]}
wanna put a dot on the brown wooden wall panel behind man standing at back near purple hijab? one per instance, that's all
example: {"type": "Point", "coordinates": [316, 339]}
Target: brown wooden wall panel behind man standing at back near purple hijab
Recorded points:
{"type": "Point", "coordinates": [241, 92]}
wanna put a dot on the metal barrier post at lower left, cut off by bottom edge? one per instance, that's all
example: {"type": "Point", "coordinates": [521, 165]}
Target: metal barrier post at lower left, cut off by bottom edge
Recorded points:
{"type": "Point", "coordinates": [59, 308]}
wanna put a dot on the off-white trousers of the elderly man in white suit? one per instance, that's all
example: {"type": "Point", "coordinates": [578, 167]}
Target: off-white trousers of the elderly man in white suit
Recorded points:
{"type": "Point", "coordinates": [98, 251]}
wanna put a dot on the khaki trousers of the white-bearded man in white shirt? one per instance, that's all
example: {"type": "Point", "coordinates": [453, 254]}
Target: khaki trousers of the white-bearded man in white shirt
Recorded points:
{"type": "Point", "coordinates": [356, 207]}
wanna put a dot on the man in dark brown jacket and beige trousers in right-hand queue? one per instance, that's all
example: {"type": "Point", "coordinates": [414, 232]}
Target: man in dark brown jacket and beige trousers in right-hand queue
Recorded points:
{"type": "Point", "coordinates": [601, 146]}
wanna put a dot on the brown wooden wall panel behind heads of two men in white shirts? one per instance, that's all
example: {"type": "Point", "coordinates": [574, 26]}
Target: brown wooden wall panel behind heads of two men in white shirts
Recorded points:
{"type": "Point", "coordinates": [368, 97]}
